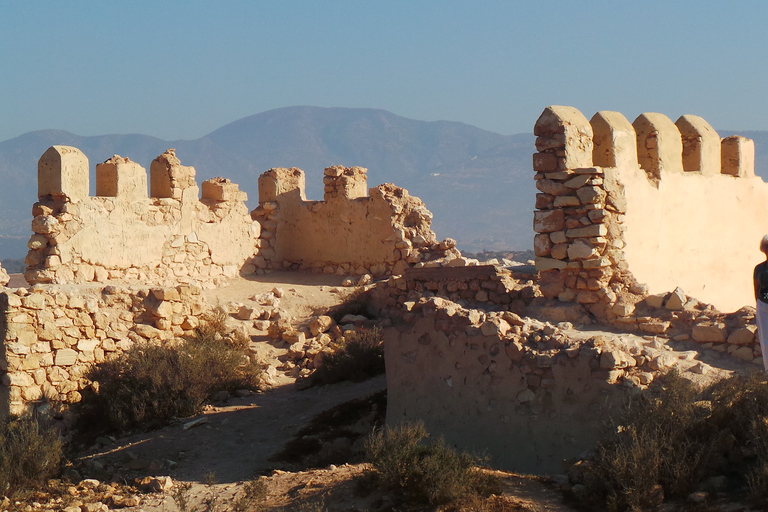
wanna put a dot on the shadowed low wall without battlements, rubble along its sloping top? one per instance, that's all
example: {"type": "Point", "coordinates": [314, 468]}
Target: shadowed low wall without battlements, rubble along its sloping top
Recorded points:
{"type": "Point", "coordinates": [508, 386]}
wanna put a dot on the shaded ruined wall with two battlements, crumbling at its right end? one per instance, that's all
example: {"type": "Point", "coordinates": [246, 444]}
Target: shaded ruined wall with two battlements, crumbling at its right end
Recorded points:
{"type": "Point", "coordinates": [349, 232]}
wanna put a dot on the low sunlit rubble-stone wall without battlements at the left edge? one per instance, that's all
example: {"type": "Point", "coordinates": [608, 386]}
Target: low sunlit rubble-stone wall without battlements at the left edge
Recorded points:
{"type": "Point", "coordinates": [51, 334]}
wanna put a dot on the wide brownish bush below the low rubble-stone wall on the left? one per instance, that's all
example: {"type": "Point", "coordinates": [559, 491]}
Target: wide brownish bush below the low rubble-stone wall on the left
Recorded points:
{"type": "Point", "coordinates": [150, 384]}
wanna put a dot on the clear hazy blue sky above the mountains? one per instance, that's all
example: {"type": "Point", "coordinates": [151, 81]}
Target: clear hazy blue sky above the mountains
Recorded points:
{"type": "Point", "coordinates": [178, 70]}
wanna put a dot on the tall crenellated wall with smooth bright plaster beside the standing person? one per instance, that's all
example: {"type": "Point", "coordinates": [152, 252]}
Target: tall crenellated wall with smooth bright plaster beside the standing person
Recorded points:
{"type": "Point", "coordinates": [644, 208]}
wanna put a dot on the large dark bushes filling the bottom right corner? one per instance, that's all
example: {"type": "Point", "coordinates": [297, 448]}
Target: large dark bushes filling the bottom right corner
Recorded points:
{"type": "Point", "coordinates": [671, 441]}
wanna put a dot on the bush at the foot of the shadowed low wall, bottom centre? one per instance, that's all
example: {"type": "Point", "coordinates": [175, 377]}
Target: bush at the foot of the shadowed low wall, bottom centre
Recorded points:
{"type": "Point", "coordinates": [424, 473]}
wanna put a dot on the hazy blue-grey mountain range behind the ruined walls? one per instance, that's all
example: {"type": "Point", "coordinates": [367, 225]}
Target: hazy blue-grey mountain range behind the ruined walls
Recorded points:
{"type": "Point", "coordinates": [478, 184]}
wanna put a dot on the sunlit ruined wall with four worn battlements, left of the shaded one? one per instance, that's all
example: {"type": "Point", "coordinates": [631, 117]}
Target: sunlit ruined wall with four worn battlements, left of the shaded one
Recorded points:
{"type": "Point", "coordinates": [121, 234]}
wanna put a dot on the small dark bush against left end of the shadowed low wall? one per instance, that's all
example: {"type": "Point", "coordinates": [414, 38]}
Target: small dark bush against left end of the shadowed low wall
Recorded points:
{"type": "Point", "coordinates": [359, 357]}
